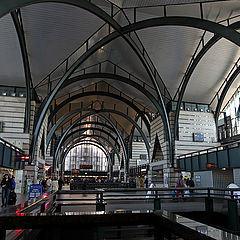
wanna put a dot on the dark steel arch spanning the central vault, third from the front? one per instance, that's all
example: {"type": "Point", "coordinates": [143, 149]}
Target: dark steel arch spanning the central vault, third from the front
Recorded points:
{"type": "Point", "coordinates": [101, 93]}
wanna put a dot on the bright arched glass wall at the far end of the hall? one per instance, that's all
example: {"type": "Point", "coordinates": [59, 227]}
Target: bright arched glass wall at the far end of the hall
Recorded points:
{"type": "Point", "coordinates": [86, 157]}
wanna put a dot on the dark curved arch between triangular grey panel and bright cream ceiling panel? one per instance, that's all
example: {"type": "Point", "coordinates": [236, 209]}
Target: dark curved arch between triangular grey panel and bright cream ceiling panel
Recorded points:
{"type": "Point", "coordinates": [194, 64]}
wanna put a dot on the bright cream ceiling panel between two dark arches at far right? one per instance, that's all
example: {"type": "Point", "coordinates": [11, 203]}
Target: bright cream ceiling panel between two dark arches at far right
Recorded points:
{"type": "Point", "coordinates": [211, 72]}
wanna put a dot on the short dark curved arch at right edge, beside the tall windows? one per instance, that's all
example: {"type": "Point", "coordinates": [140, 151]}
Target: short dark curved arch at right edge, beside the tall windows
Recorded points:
{"type": "Point", "coordinates": [224, 92]}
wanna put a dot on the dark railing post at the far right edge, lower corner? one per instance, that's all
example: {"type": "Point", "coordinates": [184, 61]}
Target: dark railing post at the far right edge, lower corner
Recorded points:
{"type": "Point", "coordinates": [233, 220]}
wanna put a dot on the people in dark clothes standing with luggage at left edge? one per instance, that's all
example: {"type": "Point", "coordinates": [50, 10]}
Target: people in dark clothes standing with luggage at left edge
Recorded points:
{"type": "Point", "coordinates": [8, 186]}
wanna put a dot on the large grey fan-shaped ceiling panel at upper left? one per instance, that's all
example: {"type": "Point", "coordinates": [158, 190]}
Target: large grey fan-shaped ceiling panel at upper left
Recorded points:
{"type": "Point", "coordinates": [53, 31]}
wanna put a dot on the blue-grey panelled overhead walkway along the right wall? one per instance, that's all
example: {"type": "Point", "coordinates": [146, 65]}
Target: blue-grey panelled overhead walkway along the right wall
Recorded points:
{"type": "Point", "coordinates": [224, 156]}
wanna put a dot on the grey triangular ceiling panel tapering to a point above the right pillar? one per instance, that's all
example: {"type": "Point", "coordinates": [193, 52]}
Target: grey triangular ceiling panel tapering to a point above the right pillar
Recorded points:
{"type": "Point", "coordinates": [170, 49]}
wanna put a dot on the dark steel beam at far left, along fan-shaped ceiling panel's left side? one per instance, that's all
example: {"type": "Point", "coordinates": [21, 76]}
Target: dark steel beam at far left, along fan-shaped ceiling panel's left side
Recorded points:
{"type": "Point", "coordinates": [27, 72]}
